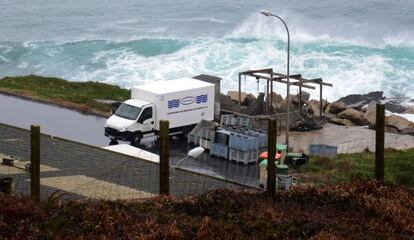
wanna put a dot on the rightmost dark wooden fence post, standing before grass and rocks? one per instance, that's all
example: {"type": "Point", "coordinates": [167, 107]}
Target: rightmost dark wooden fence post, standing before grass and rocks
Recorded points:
{"type": "Point", "coordinates": [379, 143]}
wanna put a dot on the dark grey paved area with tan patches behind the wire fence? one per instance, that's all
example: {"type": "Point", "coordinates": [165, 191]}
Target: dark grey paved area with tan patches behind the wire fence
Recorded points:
{"type": "Point", "coordinates": [104, 170]}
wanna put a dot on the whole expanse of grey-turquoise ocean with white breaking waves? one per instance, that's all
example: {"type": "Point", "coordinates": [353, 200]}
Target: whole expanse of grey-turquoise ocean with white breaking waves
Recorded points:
{"type": "Point", "coordinates": [359, 46]}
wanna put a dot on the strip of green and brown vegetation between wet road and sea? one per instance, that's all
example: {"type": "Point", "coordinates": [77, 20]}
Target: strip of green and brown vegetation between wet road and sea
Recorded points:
{"type": "Point", "coordinates": [78, 95]}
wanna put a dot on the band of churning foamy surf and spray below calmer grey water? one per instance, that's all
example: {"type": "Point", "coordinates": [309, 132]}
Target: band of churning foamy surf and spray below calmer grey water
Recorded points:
{"type": "Point", "coordinates": [257, 43]}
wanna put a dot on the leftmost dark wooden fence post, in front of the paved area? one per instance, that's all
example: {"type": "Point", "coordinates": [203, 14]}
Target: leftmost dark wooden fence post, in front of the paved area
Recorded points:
{"type": "Point", "coordinates": [35, 162]}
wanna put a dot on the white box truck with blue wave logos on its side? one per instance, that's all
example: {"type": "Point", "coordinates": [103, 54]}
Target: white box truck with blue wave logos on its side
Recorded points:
{"type": "Point", "coordinates": [183, 102]}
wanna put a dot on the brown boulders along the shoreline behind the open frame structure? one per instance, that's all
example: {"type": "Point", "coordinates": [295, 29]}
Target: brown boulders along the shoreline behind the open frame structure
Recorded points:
{"type": "Point", "coordinates": [351, 110]}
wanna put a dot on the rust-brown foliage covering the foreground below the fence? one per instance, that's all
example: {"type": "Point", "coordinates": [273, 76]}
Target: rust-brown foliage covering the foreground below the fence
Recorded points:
{"type": "Point", "coordinates": [359, 210]}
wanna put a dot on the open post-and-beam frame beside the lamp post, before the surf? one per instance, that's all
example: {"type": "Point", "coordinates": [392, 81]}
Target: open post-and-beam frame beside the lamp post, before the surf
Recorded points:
{"type": "Point", "coordinates": [294, 80]}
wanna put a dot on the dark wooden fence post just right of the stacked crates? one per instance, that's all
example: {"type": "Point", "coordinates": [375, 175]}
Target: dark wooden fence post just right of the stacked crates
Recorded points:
{"type": "Point", "coordinates": [271, 152]}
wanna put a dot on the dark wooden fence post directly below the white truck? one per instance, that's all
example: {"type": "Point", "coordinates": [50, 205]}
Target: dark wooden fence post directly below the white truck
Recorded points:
{"type": "Point", "coordinates": [164, 158]}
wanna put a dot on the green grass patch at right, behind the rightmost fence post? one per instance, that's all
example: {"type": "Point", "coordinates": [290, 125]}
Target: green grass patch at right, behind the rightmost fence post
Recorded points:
{"type": "Point", "coordinates": [399, 168]}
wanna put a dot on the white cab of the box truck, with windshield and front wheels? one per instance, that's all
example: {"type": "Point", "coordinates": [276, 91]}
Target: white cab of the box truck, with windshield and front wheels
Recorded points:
{"type": "Point", "coordinates": [132, 120]}
